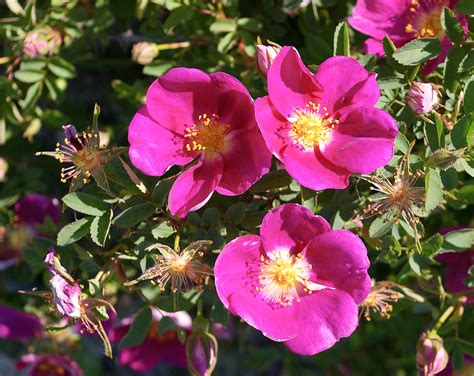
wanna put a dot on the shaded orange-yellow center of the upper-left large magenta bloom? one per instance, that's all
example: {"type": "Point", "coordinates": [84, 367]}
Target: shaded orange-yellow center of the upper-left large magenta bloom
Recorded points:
{"type": "Point", "coordinates": [206, 135]}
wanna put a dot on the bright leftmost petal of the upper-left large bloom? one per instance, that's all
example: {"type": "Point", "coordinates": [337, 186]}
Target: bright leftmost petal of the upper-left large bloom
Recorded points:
{"type": "Point", "coordinates": [154, 149]}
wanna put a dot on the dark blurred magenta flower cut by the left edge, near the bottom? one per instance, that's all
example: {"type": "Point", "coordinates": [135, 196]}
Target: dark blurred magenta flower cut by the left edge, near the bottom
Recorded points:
{"type": "Point", "coordinates": [18, 325]}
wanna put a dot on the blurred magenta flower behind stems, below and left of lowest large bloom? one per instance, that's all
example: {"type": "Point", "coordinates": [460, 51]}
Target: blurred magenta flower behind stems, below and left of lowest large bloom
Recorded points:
{"type": "Point", "coordinates": [155, 347]}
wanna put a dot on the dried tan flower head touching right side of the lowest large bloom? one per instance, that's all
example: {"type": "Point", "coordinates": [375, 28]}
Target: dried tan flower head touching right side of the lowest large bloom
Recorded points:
{"type": "Point", "coordinates": [379, 300]}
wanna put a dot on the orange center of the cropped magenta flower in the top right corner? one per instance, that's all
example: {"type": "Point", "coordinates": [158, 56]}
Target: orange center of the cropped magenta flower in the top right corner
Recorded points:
{"type": "Point", "coordinates": [427, 24]}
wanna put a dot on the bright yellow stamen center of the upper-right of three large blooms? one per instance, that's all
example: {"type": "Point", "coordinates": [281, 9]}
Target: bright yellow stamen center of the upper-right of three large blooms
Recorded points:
{"type": "Point", "coordinates": [311, 127]}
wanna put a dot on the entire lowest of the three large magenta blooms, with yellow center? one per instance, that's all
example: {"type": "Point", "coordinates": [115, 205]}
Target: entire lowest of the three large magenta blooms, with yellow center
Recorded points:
{"type": "Point", "coordinates": [299, 282]}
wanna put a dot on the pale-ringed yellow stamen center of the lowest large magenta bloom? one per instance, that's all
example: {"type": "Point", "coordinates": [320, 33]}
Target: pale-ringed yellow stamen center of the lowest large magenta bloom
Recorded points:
{"type": "Point", "coordinates": [282, 277]}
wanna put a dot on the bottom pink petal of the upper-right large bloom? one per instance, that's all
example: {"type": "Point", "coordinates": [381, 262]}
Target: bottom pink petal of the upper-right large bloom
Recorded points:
{"type": "Point", "coordinates": [313, 171]}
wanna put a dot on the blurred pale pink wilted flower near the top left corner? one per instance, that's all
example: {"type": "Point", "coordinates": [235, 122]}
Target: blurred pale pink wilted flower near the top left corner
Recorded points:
{"type": "Point", "coordinates": [43, 41]}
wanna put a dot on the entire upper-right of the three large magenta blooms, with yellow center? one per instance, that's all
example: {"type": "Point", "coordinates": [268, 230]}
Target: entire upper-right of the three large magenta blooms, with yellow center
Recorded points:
{"type": "Point", "coordinates": [324, 126]}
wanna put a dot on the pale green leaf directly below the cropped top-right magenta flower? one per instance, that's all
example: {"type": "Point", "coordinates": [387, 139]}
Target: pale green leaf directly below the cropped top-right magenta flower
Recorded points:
{"type": "Point", "coordinates": [418, 51]}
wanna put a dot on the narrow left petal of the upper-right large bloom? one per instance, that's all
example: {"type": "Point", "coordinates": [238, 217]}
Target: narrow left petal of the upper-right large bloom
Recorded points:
{"type": "Point", "coordinates": [272, 126]}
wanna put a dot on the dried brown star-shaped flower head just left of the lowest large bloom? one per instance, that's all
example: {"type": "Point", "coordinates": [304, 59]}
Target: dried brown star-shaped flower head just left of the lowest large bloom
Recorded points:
{"type": "Point", "coordinates": [182, 268]}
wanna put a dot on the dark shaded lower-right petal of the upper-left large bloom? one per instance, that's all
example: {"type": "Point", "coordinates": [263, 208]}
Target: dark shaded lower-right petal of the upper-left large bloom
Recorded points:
{"type": "Point", "coordinates": [245, 161]}
